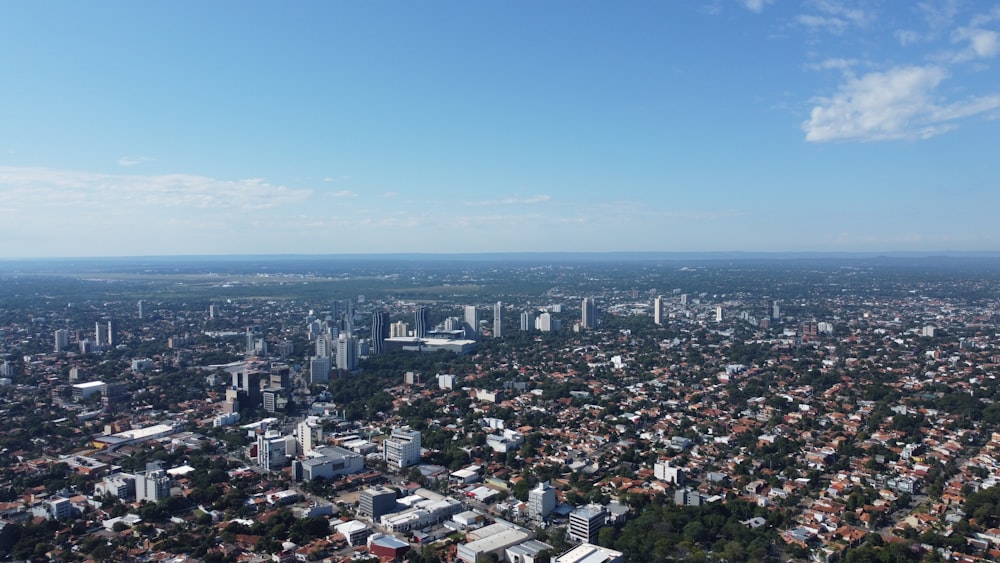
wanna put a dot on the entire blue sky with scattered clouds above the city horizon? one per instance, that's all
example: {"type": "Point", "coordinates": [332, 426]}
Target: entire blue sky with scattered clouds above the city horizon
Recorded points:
{"type": "Point", "coordinates": [140, 128]}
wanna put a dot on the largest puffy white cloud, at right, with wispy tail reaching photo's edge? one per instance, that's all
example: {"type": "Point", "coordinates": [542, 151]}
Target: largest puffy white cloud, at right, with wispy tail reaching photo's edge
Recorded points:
{"type": "Point", "coordinates": [891, 105]}
